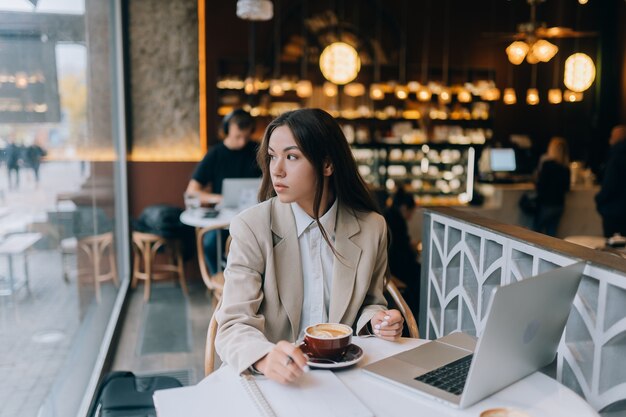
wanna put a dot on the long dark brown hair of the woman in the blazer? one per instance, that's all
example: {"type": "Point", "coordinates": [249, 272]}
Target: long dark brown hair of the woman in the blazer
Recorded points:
{"type": "Point", "coordinates": [321, 141]}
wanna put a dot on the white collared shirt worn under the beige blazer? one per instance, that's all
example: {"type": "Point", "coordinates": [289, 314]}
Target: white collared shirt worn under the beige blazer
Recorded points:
{"type": "Point", "coordinates": [317, 264]}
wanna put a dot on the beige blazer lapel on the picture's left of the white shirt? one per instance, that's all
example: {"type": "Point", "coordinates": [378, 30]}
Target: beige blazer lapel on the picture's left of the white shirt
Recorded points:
{"type": "Point", "coordinates": [287, 263]}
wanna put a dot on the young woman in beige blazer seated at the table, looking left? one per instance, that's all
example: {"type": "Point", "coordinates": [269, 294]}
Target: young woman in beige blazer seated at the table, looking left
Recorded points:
{"type": "Point", "coordinates": [314, 250]}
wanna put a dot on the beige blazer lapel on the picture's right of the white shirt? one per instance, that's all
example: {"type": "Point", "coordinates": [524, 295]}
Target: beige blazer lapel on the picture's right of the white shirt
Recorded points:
{"type": "Point", "coordinates": [344, 268]}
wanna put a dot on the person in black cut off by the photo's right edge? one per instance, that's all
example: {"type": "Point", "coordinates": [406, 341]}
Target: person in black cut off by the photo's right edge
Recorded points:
{"type": "Point", "coordinates": [611, 200]}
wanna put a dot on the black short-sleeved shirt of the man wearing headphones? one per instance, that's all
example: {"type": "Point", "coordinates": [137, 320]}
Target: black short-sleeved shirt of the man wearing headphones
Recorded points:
{"type": "Point", "coordinates": [221, 162]}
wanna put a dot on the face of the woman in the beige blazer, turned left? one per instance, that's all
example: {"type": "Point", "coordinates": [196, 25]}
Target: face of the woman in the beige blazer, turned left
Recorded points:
{"type": "Point", "coordinates": [293, 176]}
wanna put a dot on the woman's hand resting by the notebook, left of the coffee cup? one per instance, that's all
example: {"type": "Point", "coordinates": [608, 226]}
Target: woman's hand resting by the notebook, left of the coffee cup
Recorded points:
{"type": "Point", "coordinates": [284, 364]}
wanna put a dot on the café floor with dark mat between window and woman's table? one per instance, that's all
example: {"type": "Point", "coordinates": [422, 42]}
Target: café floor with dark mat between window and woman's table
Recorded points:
{"type": "Point", "coordinates": [167, 335]}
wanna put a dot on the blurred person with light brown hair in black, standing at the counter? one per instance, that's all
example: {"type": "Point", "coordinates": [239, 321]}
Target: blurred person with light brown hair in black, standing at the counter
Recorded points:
{"type": "Point", "coordinates": [553, 182]}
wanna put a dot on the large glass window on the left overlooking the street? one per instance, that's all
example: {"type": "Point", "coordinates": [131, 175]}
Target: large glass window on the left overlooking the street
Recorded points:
{"type": "Point", "coordinates": [63, 237]}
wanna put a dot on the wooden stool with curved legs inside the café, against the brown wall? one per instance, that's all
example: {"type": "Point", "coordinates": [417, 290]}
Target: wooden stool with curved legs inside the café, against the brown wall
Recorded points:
{"type": "Point", "coordinates": [146, 246]}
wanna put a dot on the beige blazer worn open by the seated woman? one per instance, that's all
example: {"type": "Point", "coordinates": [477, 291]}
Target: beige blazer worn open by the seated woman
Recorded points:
{"type": "Point", "coordinates": [263, 290]}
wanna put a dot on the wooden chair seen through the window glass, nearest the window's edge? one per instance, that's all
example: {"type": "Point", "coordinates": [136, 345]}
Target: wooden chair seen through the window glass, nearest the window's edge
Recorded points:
{"type": "Point", "coordinates": [97, 248]}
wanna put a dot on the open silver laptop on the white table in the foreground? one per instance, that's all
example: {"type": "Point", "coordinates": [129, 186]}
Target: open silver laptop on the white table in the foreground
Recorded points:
{"type": "Point", "coordinates": [523, 327]}
